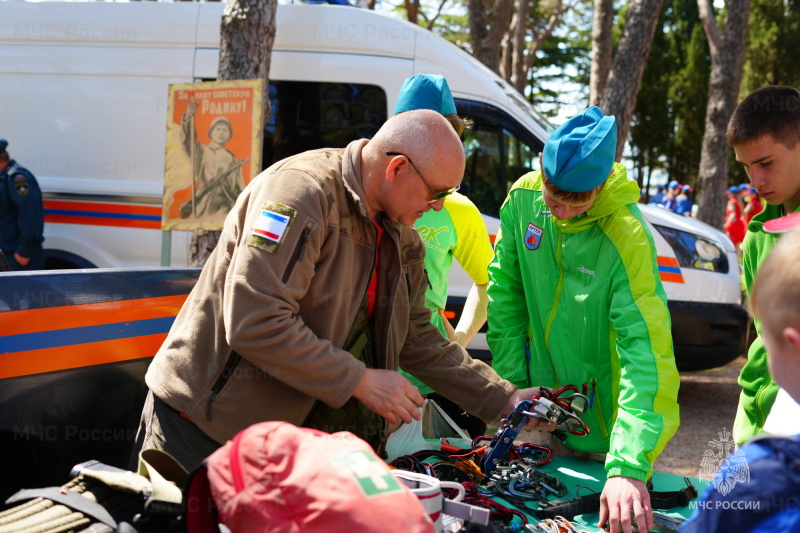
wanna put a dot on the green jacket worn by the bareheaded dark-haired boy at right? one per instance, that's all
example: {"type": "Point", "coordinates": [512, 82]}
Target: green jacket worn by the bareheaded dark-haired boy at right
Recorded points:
{"type": "Point", "coordinates": [758, 387]}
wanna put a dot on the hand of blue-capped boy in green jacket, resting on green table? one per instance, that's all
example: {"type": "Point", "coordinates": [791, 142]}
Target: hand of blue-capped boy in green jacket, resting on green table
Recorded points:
{"type": "Point", "coordinates": [621, 495]}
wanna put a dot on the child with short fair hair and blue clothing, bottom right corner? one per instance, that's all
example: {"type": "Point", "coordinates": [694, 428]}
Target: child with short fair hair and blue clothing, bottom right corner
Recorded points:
{"type": "Point", "coordinates": [759, 487]}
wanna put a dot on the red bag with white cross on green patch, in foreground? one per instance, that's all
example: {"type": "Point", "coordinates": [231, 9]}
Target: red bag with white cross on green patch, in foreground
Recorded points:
{"type": "Point", "coordinates": [276, 477]}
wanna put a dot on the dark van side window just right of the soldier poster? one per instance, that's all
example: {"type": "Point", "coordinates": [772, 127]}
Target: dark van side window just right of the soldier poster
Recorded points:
{"type": "Point", "coordinates": [311, 115]}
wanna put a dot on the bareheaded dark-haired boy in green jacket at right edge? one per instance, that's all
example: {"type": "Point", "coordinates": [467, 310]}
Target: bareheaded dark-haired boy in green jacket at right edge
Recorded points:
{"type": "Point", "coordinates": [764, 132]}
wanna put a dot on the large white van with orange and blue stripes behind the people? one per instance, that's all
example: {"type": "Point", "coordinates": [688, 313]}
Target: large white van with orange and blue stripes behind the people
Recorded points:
{"type": "Point", "coordinates": [84, 101]}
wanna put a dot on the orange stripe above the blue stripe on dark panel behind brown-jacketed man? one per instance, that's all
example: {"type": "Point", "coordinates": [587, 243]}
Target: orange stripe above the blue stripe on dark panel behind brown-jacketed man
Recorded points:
{"type": "Point", "coordinates": [76, 316]}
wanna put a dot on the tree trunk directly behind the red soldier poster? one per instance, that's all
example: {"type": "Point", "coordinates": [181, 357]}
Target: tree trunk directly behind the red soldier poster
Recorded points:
{"type": "Point", "coordinates": [247, 33]}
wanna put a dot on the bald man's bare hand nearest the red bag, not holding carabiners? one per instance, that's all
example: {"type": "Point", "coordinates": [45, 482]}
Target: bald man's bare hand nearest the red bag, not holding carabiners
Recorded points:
{"type": "Point", "coordinates": [389, 394]}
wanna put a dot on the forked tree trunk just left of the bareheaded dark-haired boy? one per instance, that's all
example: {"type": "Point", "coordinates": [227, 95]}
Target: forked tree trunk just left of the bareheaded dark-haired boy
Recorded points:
{"type": "Point", "coordinates": [727, 61]}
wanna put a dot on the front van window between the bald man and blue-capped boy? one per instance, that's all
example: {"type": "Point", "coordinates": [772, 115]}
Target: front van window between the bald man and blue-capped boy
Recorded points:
{"type": "Point", "coordinates": [499, 151]}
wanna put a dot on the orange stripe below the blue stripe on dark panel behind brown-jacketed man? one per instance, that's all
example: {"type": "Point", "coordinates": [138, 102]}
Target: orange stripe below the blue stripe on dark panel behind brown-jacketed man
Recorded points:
{"type": "Point", "coordinates": [79, 355]}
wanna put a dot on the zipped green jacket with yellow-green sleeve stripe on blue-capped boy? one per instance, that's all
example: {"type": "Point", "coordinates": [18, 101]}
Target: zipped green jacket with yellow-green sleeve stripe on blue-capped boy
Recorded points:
{"type": "Point", "coordinates": [580, 301]}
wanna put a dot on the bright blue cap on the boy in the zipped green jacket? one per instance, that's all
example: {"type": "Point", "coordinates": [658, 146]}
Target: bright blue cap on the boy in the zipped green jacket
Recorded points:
{"type": "Point", "coordinates": [579, 155]}
